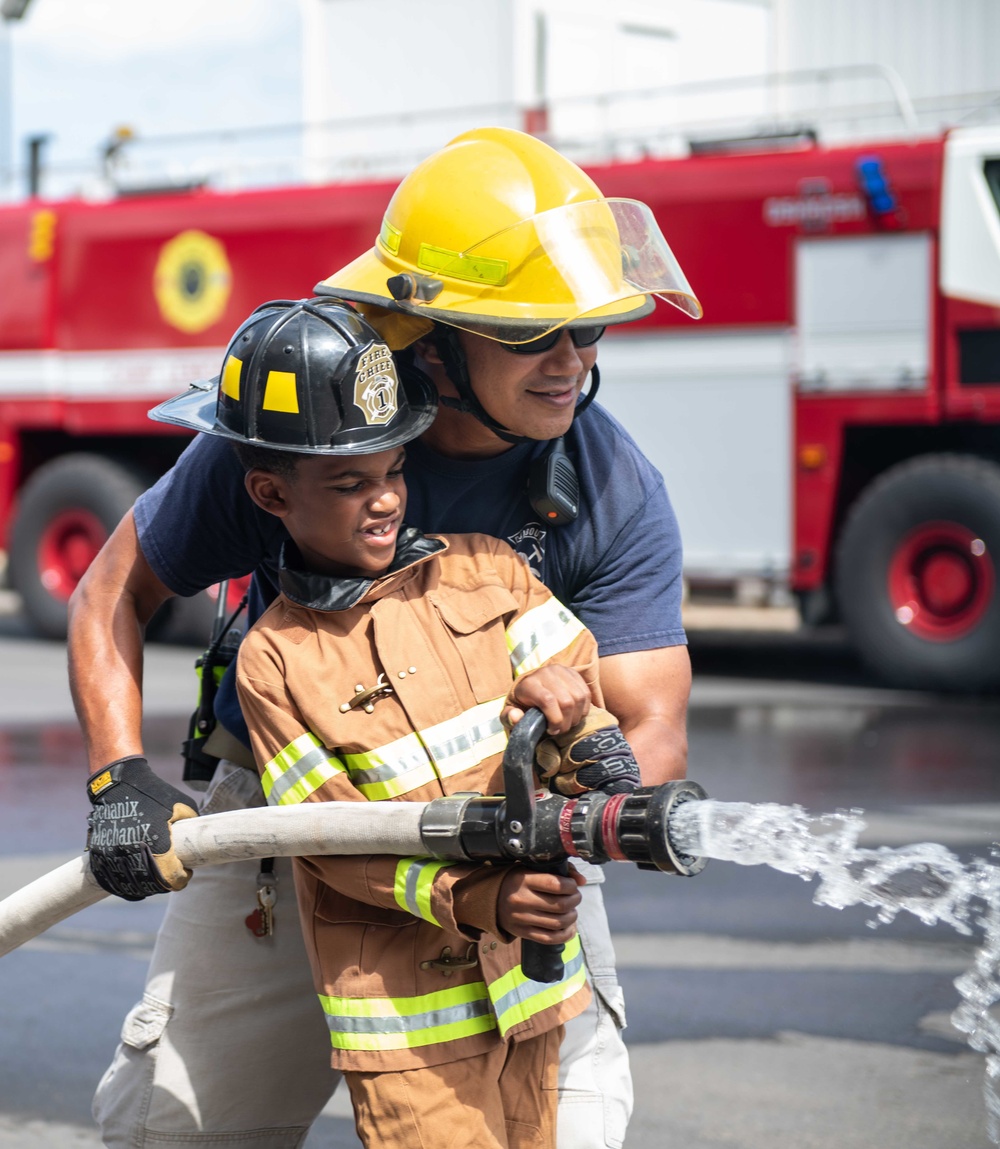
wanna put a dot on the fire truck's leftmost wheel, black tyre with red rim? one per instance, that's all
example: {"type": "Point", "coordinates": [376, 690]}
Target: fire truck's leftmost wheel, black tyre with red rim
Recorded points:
{"type": "Point", "coordinates": [67, 511]}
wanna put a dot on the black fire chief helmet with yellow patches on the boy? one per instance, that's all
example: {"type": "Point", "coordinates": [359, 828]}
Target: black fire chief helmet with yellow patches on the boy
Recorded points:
{"type": "Point", "coordinates": [309, 376]}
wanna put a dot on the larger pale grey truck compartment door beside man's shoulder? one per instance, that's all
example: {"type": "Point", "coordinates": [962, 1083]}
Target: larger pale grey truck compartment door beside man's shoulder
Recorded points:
{"type": "Point", "coordinates": [712, 412]}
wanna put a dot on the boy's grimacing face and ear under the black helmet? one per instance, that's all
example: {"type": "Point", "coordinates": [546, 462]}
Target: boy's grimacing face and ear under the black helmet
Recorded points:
{"type": "Point", "coordinates": [344, 513]}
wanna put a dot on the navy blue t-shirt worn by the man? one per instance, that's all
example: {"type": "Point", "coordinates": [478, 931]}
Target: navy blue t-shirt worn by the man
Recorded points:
{"type": "Point", "coordinates": [618, 567]}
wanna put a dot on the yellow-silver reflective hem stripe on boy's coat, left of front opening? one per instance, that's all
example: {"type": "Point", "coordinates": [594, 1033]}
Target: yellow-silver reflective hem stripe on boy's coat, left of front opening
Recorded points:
{"type": "Point", "coordinates": [409, 1023]}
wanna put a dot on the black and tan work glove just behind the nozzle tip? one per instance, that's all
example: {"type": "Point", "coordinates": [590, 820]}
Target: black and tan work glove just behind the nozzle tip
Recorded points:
{"type": "Point", "coordinates": [588, 760]}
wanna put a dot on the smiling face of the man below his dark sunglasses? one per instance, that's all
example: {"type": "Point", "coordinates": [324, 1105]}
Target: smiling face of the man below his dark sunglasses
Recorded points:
{"type": "Point", "coordinates": [533, 396]}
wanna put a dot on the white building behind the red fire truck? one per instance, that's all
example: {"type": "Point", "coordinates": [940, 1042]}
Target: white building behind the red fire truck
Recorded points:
{"type": "Point", "coordinates": [386, 82]}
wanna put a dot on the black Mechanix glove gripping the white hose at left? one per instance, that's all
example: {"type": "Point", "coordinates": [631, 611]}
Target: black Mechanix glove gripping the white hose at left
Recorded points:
{"type": "Point", "coordinates": [129, 837]}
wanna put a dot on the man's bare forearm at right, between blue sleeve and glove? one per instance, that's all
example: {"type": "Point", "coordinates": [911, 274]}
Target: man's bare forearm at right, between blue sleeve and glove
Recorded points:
{"type": "Point", "coordinates": [648, 692]}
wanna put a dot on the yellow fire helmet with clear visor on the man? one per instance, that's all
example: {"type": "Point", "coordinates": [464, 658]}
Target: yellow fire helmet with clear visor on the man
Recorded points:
{"type": "Point", "coordinates": [501, 235]}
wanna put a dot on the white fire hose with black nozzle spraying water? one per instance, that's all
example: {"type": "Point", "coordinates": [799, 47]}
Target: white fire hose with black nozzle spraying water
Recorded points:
{"type": "Point", "coordinates": [521, 826]}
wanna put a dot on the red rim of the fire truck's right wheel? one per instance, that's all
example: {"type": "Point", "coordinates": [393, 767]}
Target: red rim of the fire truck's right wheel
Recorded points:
{"type": "Point", "coordinates": [941, 582]}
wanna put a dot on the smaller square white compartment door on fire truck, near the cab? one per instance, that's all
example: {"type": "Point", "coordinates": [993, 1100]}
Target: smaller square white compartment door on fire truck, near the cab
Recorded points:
{"type": "Point", "coordinates": [864, 313]}
